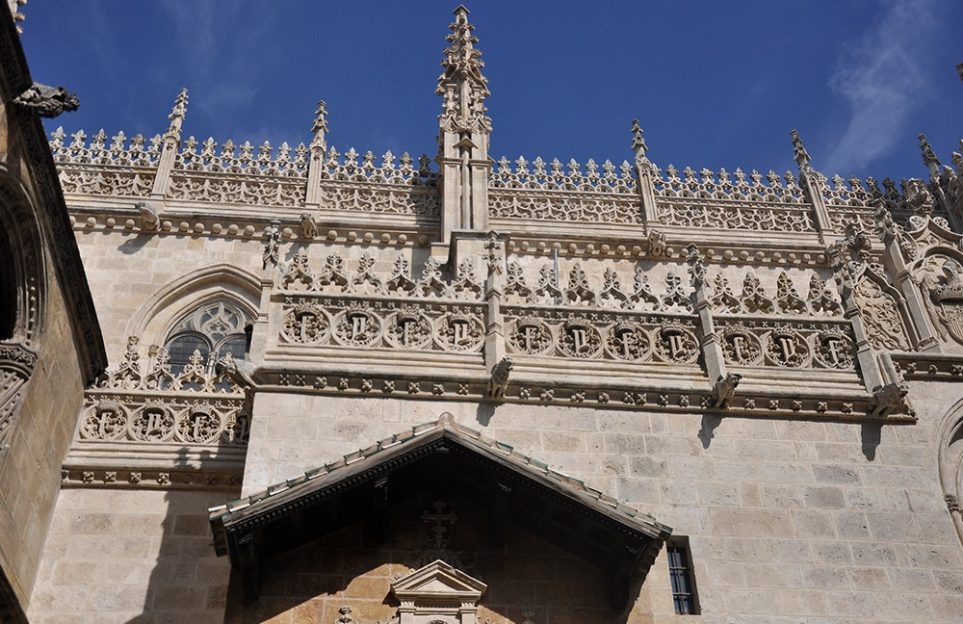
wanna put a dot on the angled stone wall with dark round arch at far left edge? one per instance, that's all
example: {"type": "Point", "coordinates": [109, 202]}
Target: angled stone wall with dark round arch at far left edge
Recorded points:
{"type": "Point", "coordinates": [50, 344]}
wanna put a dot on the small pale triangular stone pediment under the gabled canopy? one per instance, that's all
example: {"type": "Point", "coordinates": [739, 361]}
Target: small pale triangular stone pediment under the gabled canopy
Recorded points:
{"type": "Point", "coordinates": [438, 593]}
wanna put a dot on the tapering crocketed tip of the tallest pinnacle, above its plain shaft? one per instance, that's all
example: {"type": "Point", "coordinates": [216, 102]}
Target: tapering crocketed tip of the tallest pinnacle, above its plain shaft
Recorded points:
{"type": "Point", "coordinates": [462, 84]}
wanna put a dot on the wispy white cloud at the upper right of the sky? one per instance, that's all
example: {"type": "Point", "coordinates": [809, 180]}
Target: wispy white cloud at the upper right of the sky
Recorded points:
{"type": "Point", "coordinates": [882, 79]}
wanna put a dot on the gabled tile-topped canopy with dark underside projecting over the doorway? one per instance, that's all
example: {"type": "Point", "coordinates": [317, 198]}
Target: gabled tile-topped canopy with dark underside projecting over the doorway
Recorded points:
{"type": "Point", "coordinates": [443, 455]}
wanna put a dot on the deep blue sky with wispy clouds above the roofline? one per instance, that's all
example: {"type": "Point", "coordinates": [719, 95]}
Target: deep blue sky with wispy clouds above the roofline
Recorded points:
{"type": "Point", "coordinates": [715, 84]}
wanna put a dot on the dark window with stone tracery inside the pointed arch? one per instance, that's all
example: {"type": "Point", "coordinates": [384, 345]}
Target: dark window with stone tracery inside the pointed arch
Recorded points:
{"type": "Point", "coordinates": [213, 329]}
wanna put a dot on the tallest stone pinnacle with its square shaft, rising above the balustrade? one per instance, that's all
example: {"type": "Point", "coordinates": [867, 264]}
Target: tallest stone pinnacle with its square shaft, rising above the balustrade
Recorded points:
{"type": "Point", "coordinates": [464, 132]}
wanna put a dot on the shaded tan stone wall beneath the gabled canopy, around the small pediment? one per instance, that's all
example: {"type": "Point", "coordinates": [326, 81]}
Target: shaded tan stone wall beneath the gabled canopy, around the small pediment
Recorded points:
{"type": "Point", "coordinates": [353, 568]}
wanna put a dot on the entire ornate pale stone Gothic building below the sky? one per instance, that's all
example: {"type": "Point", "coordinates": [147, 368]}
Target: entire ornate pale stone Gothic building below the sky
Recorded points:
{"type": "Point", "coordinates": [293, 384]}
